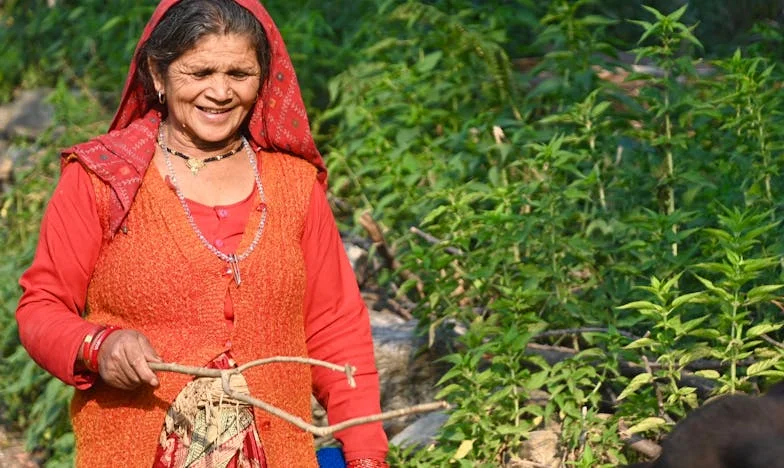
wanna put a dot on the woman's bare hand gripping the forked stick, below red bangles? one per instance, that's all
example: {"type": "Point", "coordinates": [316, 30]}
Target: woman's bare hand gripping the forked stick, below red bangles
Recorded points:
{"type": "Point", "coordinates": [123, 358]}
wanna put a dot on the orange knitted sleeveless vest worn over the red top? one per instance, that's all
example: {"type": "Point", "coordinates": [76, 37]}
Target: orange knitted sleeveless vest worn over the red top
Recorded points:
{"type": "Point", "coordinates": [159, 279]}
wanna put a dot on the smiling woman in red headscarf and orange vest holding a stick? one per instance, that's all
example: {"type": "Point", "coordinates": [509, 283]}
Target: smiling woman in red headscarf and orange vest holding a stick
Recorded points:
{"type": "Point", "coordinates": [197, 231]}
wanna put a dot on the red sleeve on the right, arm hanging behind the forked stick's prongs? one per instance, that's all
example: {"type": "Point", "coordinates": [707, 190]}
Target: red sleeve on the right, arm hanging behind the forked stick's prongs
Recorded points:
{"type": "Point", "coordinates": [337, 327]}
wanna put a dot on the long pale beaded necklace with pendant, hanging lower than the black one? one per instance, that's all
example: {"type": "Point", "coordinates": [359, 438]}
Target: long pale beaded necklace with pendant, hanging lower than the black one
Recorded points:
{"type": "Point", "coordinates": [233, 260]}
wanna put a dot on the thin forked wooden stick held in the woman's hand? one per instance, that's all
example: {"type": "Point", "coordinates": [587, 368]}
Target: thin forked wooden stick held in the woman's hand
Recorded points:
{"type": "Point", "coordinates": [225, 376]}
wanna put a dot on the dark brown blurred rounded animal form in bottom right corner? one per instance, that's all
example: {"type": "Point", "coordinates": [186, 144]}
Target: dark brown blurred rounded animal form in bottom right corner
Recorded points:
{"type": "Point", "coordinates": [737, 431]}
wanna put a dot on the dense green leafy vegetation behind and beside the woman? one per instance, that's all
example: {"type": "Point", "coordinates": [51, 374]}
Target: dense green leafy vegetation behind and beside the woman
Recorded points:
{"type": "Point", "coordinates": [598, 177]}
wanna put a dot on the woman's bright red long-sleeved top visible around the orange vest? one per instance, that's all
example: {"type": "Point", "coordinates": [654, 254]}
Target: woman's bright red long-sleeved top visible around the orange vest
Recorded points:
{"type": "Point", "coordinates": [55, 287]}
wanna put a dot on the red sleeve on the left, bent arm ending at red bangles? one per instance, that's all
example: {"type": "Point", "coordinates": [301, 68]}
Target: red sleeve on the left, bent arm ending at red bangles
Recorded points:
{"type": "Point", "coordinates": [55, 285]}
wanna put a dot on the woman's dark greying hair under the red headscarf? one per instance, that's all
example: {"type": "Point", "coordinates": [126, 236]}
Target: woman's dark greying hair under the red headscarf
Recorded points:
{"type": "Point", "coordinates": [186, 23]}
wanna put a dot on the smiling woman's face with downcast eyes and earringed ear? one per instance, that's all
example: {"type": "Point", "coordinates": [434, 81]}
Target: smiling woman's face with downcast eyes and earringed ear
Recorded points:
{"type": "Point", "coordinates": [209, 91]}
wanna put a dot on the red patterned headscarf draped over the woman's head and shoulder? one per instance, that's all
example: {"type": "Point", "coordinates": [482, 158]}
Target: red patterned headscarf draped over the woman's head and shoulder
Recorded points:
{"type": "Point", "coordinates": [278, 121]}
